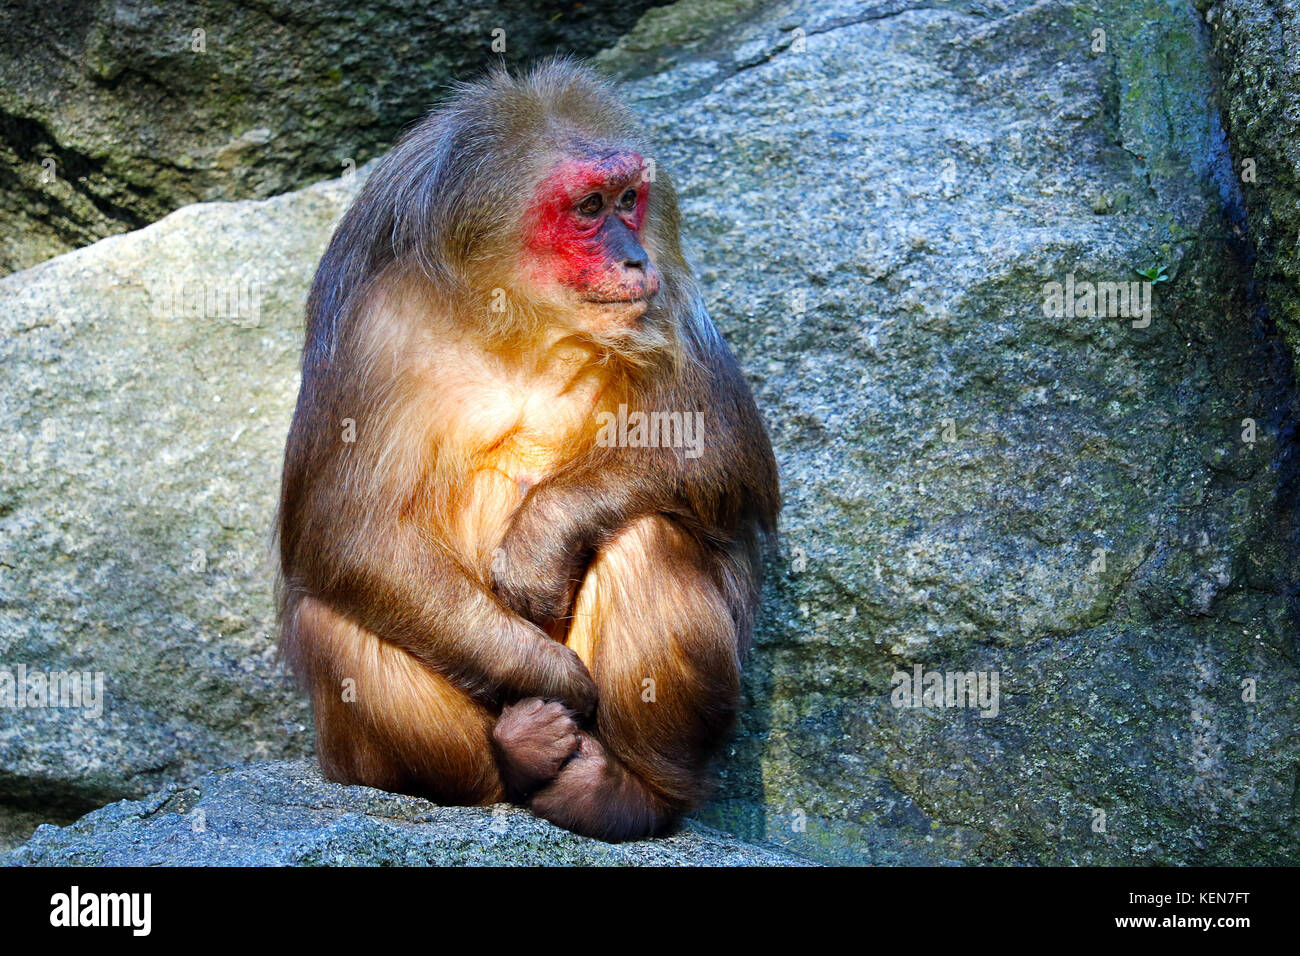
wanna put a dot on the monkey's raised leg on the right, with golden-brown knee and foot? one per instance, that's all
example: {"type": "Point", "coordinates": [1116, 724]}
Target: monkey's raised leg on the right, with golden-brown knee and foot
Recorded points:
{"type": "Point", "coordinates": [661, 643]}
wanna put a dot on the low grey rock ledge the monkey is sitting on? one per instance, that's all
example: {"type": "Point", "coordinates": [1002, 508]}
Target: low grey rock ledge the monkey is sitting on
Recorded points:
{"type": "Point", "coordinates": [288, 815]}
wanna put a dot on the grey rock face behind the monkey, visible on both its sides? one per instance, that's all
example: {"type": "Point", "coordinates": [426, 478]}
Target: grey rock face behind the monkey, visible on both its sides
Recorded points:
{"type": "Point", "coordinates": [1099, 511]}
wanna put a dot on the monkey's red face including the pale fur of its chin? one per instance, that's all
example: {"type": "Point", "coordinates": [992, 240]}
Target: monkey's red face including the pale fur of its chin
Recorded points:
{"type": "Point", "coordinates": [583, 239]}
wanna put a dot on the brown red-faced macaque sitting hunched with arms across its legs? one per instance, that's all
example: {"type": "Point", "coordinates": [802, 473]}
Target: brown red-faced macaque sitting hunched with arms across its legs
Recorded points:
{"type": "Point", "coordinates": [527, 491]}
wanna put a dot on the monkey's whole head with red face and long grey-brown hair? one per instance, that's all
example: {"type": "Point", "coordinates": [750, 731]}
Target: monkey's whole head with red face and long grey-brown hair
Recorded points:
{"type": "Point", "coordinates": [526, 206]}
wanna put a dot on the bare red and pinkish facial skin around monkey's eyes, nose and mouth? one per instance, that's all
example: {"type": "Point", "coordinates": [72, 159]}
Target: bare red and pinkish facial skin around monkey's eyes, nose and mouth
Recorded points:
{"type": "Point", "coordinates": [596, 254]}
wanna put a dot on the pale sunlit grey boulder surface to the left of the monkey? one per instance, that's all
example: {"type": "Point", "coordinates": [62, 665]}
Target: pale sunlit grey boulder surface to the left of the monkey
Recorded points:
{"type": "Point", "coordinates": [149, 382]}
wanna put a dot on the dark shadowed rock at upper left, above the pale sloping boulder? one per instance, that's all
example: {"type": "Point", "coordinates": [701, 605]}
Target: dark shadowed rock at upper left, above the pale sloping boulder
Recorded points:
{"type": "Point", "coordinates": [140, 115]}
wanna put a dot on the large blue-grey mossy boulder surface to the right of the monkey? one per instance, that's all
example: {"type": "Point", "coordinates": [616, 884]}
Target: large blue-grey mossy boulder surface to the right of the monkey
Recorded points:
{"type": "Point", "coordinates": [877, 197]}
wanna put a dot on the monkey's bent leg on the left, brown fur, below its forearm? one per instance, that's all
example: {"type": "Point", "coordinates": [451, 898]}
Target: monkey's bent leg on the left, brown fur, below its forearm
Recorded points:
{"type": "Point", "coordinates": [387, 721]}
